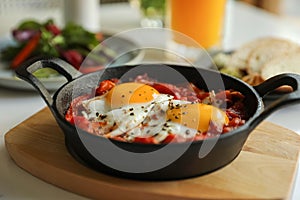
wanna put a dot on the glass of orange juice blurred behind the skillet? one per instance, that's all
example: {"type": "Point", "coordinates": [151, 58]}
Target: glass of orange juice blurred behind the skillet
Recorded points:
{"type": "Point", "coordinates": [202, 20]}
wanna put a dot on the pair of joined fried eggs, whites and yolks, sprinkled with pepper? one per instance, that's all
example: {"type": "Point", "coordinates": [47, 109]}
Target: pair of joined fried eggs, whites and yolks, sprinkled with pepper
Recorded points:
{"type": "Point", "coordinates": [135, 110]}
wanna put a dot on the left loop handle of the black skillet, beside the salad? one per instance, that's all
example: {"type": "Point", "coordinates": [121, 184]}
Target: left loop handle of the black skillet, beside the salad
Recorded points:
{"type": "Point", "coordinates": [26, 71]}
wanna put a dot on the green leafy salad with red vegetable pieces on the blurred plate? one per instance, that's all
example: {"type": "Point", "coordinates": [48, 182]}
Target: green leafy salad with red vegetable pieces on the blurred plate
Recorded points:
{"type": "Point", "coordinates": [72, 43]}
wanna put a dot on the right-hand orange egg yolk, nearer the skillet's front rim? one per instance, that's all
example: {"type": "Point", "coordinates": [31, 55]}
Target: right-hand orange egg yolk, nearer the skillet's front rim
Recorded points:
{"type": "Point", "coordinates": [197, 116]}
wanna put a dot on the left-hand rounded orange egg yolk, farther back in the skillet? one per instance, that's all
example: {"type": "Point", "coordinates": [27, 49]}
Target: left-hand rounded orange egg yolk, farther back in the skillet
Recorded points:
{"type": "Point", "coordinates": [130, 93]}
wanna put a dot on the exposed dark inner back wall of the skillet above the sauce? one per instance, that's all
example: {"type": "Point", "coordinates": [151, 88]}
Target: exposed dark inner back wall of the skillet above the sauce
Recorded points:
{"type": "Point", "coordinates": [203, 78]}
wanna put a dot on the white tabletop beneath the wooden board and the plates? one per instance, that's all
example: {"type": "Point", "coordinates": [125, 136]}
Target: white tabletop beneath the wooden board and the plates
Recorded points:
{"type": "Point", "coordinates": [243, 24]}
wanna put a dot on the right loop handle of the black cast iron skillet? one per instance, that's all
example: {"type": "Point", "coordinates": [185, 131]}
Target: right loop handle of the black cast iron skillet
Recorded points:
{"type": "Point", "coordinates": [270, 85]}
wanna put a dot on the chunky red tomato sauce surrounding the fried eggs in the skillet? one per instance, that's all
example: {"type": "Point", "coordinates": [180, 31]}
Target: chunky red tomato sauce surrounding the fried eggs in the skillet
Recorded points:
{"type": "Point", "coordinates": [231, 101]}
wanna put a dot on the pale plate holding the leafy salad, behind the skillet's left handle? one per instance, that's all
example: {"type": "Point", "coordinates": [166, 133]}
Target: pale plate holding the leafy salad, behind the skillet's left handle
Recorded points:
{"type": "Point", "coordinates": [8, 78]}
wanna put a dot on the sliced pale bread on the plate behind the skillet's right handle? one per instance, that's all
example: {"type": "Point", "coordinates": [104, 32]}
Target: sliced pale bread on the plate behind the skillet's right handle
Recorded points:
{"type": "Point", "coordinates": [260, 59]}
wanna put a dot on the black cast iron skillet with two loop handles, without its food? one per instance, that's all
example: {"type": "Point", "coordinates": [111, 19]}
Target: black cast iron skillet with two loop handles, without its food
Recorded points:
{"type": "Point", "coordinates": [87, 148]}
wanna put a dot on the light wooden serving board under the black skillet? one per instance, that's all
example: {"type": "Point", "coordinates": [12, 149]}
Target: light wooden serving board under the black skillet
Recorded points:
{"type": "Point", "coordinates": [265, 169]}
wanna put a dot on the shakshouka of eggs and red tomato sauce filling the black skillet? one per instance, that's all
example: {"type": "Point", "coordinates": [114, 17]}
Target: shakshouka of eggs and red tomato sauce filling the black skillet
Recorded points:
{"type": "Point", "coordinates": [147, 111]}
